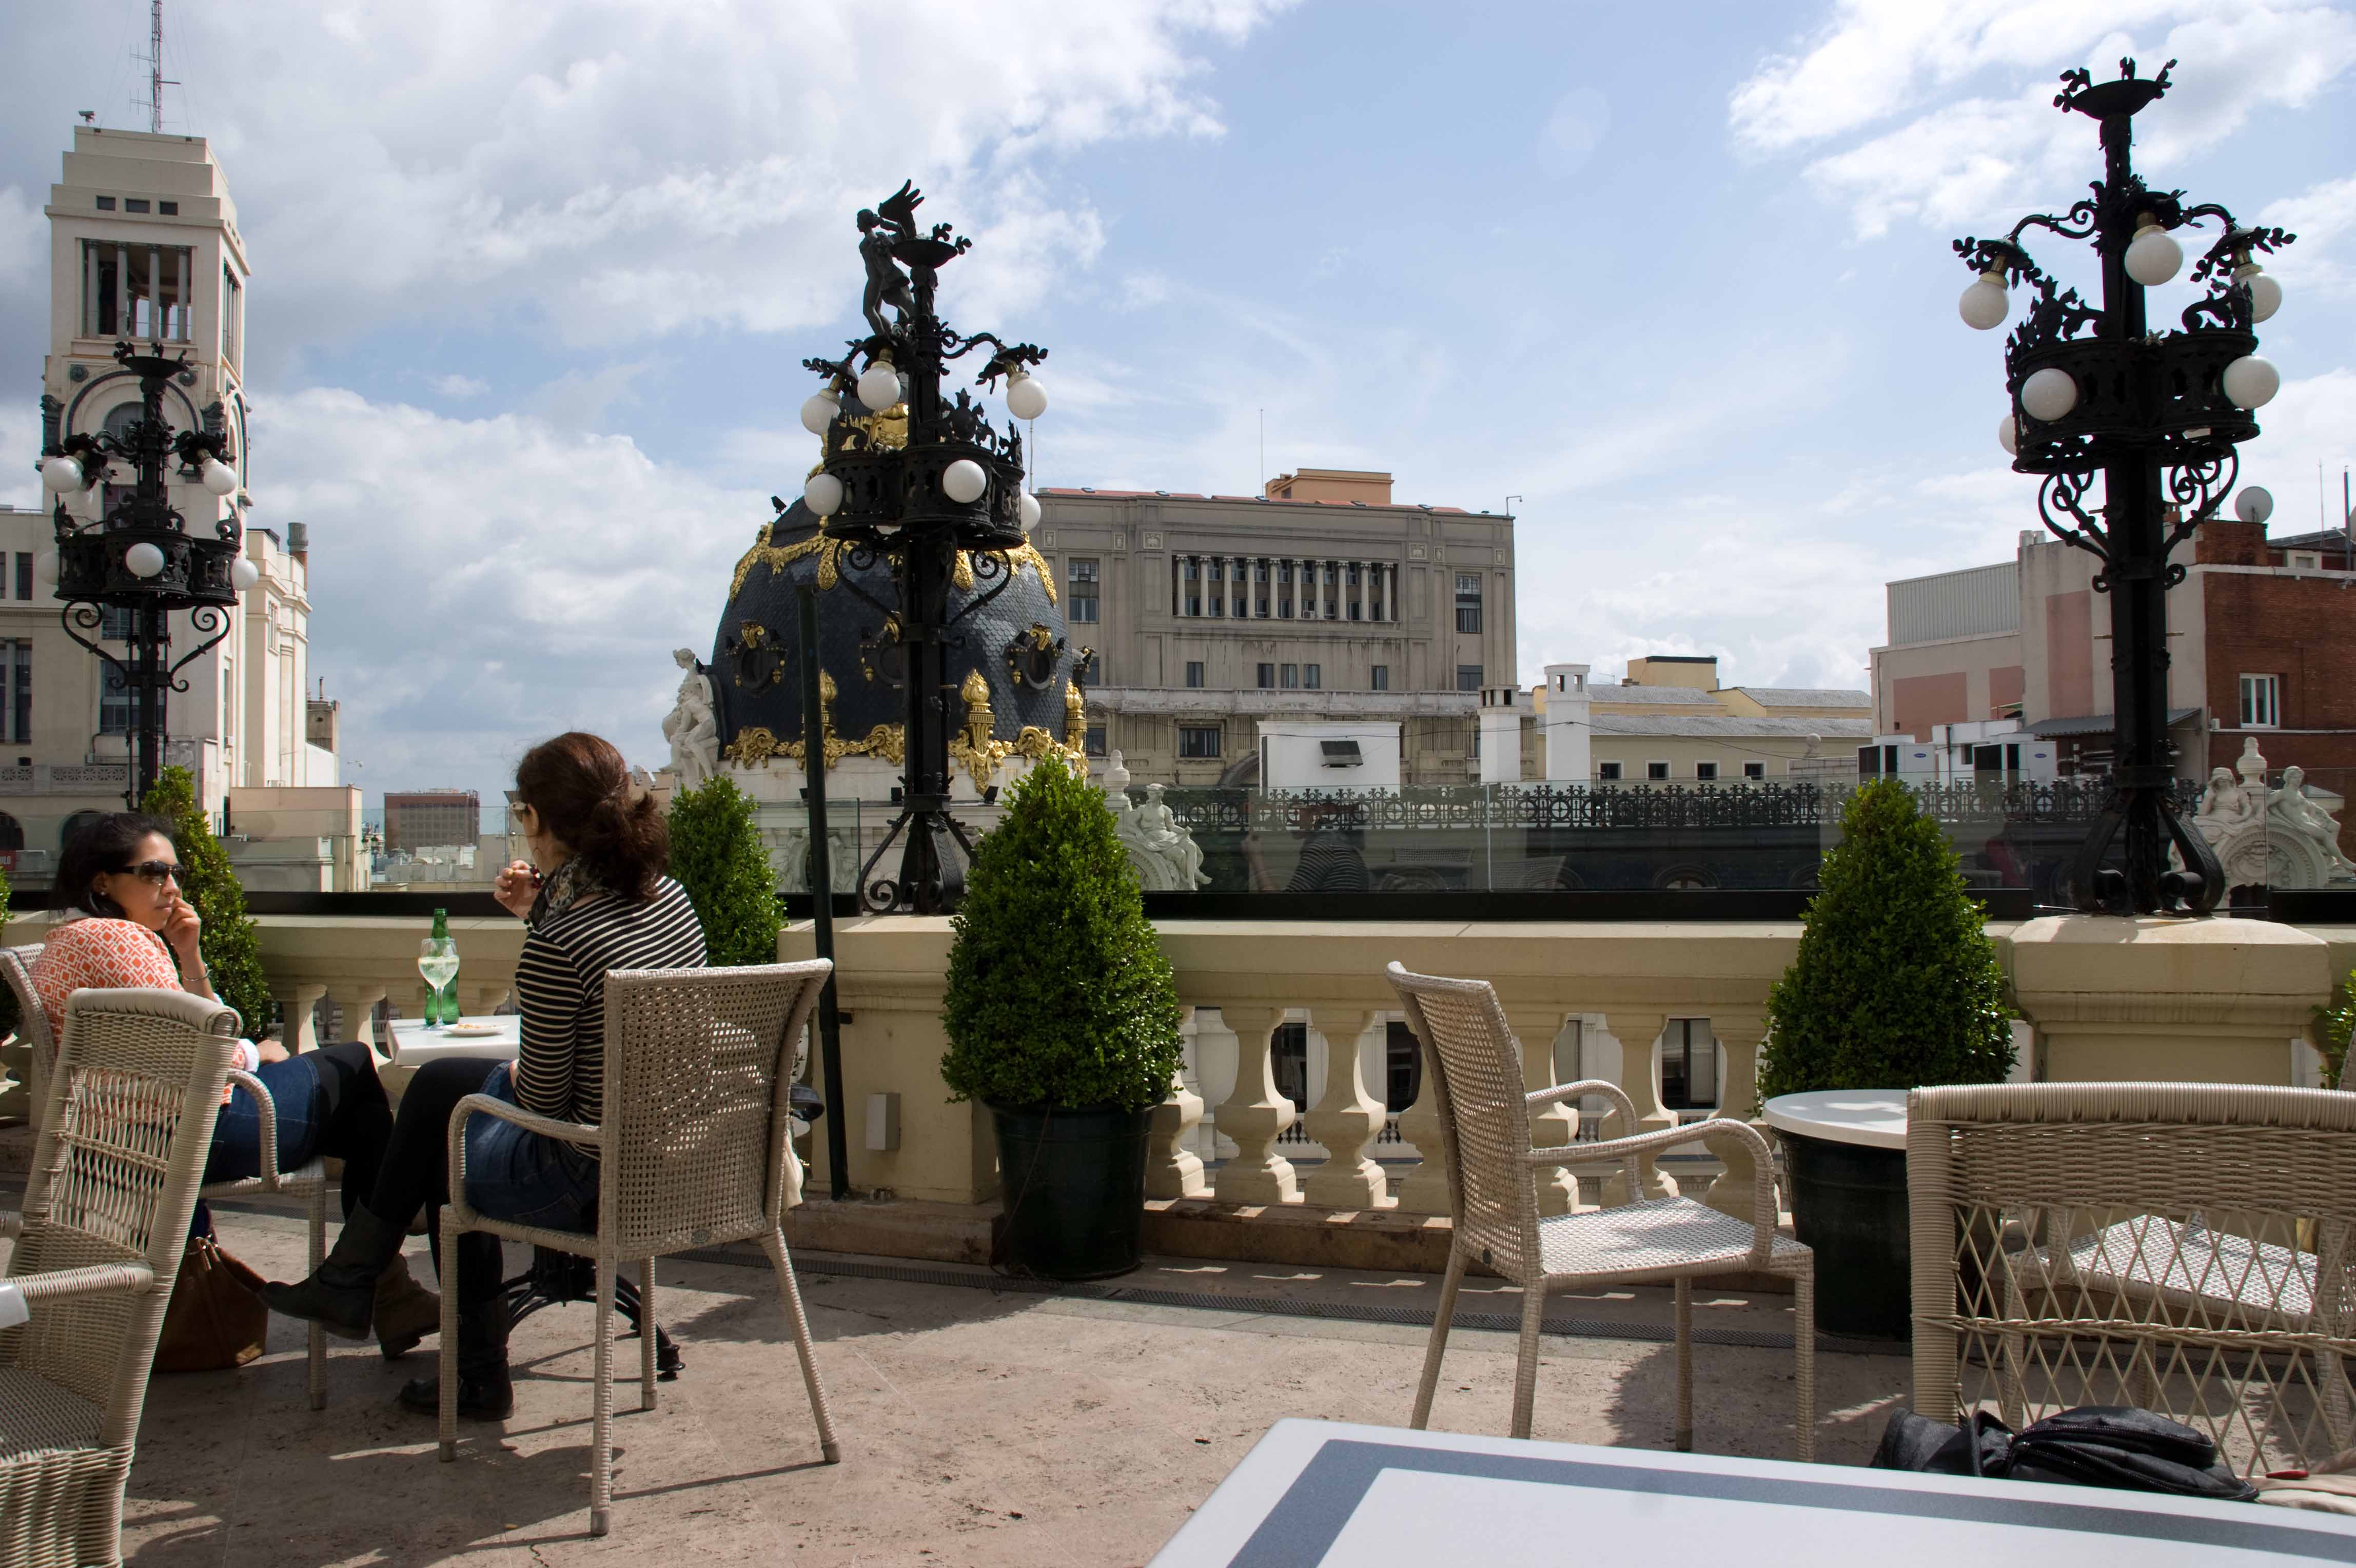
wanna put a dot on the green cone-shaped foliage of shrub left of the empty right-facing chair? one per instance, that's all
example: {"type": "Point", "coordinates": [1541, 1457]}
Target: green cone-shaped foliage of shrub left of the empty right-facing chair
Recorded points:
{"type": "Point", "coordinates": [1059, 992]}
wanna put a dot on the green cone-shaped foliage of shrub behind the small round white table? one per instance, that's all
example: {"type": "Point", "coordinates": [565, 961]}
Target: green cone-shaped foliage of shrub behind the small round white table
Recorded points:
{"type": "Point", "coordinates": [1895, 983]}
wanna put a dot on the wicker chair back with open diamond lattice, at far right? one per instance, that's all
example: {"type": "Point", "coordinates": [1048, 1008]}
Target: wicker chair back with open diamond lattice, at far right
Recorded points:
{"type": "Point", "coordinates": [2180, 1247]}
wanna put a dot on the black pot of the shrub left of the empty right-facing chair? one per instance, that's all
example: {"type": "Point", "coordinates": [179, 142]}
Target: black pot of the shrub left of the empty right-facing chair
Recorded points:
{"type": "Point", "coordinates": [1073, 1185]}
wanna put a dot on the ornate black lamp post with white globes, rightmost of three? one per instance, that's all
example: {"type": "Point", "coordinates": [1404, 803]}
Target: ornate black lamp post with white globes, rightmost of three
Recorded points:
{"type": "Point", "coordinates": [2157, 418]}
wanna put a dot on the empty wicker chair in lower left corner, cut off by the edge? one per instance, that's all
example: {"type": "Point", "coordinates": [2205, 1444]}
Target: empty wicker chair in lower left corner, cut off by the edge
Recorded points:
{"type": "Point", "coordinates": [117, 1164]}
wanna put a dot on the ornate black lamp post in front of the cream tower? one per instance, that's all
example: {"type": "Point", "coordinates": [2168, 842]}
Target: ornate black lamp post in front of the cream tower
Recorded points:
{"type": "Point", "coordinates": [140, 554]}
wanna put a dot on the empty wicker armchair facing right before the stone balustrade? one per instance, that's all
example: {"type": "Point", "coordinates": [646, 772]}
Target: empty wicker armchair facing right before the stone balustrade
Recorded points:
{"type": "Point", "coordinates": [1476, 1075]}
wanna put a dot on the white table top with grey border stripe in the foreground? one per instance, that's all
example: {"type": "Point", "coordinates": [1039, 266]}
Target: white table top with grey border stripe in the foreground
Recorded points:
{"type": "Point", "coordinates": [1389, 1499]}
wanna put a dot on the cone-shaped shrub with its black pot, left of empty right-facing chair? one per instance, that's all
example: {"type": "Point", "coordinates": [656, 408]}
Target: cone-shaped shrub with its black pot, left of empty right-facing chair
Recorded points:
{"type": "Point", "coordinates": [1064, 1021]}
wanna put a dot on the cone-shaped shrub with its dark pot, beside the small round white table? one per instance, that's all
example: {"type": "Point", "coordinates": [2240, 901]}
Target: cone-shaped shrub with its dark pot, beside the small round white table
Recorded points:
{"type": "Point", "coordinates": [1895, 988]}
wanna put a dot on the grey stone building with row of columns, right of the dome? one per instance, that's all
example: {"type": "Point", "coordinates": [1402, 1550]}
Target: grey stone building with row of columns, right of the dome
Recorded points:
{"type": "Point", "coordinates": [1316, 599]}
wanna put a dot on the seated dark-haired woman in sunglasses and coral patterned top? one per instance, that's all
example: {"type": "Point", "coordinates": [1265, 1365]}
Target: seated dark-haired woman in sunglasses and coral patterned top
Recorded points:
{"type": "Point", "coordinates": [124, 926]}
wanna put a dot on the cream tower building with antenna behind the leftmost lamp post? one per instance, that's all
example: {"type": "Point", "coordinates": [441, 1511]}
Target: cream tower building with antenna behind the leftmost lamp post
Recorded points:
{"type": "Point", "coordinates": [145, 244]}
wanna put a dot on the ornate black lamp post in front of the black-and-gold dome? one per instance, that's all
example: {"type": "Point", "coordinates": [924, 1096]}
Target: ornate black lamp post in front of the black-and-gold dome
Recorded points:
{"type": "Point", "coordinates": [951, 486]}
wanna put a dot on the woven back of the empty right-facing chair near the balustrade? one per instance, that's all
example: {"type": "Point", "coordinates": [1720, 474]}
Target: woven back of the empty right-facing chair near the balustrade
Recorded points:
{"type": "Point", "coordinates": [1476, 1075]}
